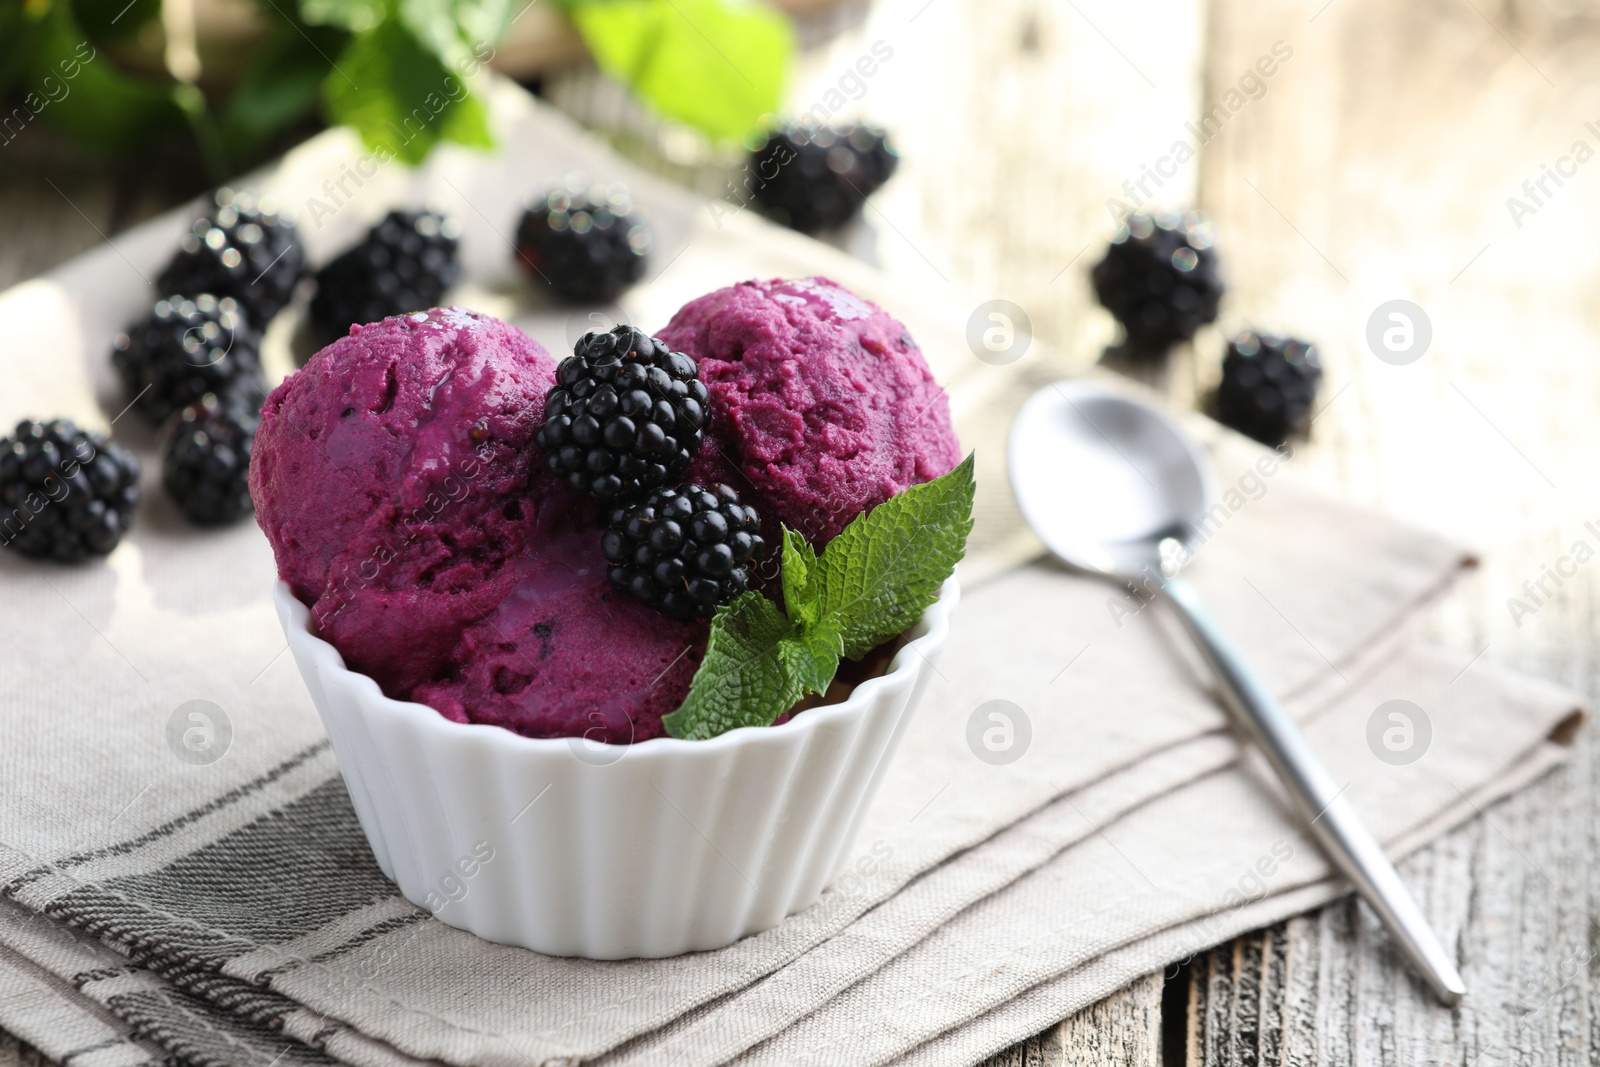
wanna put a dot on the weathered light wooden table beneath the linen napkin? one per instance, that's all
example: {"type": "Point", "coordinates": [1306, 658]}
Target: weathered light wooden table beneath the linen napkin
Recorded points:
{"type": "Point", "coordinates": [1377, 164]}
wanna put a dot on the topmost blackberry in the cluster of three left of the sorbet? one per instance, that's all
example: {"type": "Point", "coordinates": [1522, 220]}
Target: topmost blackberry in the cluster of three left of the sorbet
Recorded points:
{"type": "Point", "coordinates": [244, 250]}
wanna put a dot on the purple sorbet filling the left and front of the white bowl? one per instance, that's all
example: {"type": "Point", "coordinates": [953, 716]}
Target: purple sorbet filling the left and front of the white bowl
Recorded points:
{"type": "Point", "coordinates": [398, 481]}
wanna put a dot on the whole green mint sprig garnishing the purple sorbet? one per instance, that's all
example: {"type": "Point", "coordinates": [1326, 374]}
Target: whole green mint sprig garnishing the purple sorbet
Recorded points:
{"type": "Point", "coordinates": [871, 583]}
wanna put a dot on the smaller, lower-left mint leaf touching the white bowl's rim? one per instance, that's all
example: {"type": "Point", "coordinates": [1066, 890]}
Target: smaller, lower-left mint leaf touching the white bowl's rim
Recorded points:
{"type": "Point", "coordinates": [742, 676]}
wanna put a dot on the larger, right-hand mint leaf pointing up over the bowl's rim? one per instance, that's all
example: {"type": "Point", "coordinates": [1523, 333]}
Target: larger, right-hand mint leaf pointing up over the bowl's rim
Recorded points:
{"type": "Point", "coordinates": [887, 567]}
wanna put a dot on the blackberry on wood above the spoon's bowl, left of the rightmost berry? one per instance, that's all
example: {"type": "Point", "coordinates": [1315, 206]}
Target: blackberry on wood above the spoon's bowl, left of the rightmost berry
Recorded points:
{"type": "Point", "coordinates": [1161, 279]}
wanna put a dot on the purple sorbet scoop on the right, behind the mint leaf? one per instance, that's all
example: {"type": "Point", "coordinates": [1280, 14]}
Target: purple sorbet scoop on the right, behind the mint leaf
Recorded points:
{"type": "Point", "coordinates": [823, 406]}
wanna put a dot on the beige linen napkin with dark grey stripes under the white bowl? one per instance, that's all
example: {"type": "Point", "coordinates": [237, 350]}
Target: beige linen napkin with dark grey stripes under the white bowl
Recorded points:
{"type": "Point", "coordinates": [230, 911]}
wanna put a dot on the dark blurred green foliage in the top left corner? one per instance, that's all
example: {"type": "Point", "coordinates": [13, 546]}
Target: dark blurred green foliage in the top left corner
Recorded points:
{"type": "Point", "coordinates": [398, 71]}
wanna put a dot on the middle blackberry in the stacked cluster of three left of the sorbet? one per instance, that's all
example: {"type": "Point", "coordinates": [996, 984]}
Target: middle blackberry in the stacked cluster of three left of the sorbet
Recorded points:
{"type": "Point", "coordinates": [185, 350]}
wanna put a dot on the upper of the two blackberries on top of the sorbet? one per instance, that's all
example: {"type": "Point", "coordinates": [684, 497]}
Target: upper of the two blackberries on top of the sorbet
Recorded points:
{"type": "Point", "coordinates": [626, 415]}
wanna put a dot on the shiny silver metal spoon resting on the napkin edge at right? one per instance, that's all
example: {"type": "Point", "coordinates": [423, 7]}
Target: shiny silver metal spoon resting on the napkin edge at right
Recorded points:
{"type": "Point", "coordinates": [1116, 489]}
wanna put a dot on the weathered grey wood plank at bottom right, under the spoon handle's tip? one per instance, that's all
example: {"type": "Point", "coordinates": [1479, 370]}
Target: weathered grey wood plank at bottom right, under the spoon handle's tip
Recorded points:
{"type": "Point", "coordinates": [1346, 1001]}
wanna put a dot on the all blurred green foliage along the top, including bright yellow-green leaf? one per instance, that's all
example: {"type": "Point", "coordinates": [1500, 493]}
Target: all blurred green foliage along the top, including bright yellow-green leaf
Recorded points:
{"type": "Point", "coordinates": [396, 71]}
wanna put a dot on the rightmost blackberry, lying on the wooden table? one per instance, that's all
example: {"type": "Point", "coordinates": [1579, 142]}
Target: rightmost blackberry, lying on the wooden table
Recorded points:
{"type": "Point", "coordinates": [1268, 388]}
